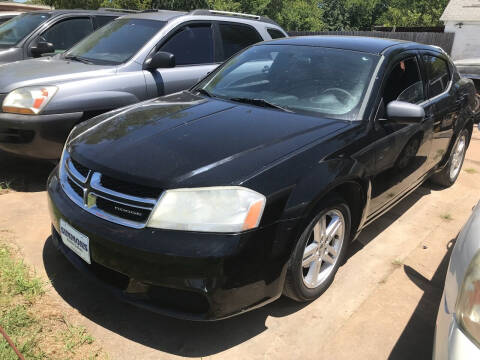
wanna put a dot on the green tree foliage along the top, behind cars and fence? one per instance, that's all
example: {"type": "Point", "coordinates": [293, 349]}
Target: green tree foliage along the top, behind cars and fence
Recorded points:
{"type": "Point", "coordinates": [295, 14]}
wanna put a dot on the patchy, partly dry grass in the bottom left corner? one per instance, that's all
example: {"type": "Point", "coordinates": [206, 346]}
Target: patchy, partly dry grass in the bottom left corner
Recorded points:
{"type": "Point", "coordinates": [38, 329]}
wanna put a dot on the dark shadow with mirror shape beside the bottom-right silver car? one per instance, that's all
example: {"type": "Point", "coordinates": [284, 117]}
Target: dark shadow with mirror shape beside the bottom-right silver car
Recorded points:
{"type": "Point", "coordinates": [416, 340]}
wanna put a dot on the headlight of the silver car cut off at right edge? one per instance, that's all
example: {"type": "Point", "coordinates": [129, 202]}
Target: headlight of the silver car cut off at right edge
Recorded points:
{"type": "Point", "coordinates": [468, 302]}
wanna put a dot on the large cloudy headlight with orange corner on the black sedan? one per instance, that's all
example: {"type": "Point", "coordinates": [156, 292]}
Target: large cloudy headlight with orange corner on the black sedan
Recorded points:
{"type": "Point", "coordinates": [214, 209]}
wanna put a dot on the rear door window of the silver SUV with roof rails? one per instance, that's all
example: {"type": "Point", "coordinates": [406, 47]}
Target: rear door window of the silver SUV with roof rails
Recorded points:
{"type": "Point", "coordinates": [236, 37]}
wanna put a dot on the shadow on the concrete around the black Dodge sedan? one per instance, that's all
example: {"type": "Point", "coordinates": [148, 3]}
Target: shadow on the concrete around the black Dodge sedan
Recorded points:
{"type": "Point", "coordinates": [180, 337]}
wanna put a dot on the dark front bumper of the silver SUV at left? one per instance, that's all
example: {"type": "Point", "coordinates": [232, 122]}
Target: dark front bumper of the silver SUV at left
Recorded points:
{"type": "Point", "coordinates": [36, 136]}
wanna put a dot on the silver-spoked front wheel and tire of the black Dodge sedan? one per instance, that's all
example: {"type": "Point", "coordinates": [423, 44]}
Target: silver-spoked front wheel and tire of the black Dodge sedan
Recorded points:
{"type": "Point", "coordinates": [319, 252]}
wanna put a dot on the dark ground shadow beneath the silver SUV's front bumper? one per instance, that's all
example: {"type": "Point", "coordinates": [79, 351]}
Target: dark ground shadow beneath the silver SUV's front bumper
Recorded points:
{"type": "Point", "coordinates": [22, 174]}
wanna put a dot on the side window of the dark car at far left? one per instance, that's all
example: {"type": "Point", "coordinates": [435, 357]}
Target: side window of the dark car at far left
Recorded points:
{"type": "Point", "coordinates": [65, 34]}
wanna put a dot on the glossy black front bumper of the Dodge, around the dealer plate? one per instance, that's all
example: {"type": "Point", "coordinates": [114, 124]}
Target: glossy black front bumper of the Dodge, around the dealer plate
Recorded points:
{"type": "Point", "coordinates": [195, 276]}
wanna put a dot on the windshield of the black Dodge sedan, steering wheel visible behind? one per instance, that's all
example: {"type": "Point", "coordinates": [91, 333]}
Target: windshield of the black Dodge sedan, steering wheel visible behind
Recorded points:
{"type": "Point", "coordinates": [302, 79]}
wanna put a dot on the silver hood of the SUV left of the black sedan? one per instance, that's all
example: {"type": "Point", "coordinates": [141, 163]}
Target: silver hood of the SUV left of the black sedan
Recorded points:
{"type": "Point", "coordinates": [46, 71]}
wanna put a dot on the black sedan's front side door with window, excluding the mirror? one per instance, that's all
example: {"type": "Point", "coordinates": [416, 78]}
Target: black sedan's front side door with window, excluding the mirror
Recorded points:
{"type": "Point", "coordinates": [401, 150]}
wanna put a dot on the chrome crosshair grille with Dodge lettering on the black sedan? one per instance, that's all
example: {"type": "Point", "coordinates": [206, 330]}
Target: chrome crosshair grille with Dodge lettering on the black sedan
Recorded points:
{"type": "Point", "coordinates": [116, 201]}
